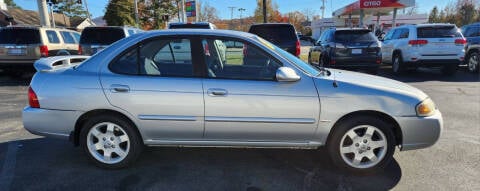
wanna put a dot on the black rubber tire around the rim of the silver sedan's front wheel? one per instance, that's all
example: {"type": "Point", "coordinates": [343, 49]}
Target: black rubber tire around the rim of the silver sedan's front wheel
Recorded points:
{"type": "Point", "coordinates": [340, 130]}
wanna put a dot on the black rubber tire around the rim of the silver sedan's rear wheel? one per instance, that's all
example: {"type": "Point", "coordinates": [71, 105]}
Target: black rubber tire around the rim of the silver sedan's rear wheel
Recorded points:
{"type": "Point", "coordinates": [135, 142]}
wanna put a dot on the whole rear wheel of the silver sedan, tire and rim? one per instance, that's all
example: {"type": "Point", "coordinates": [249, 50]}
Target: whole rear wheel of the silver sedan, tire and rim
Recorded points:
{"type": "Point", "coordinates": [110, 141]}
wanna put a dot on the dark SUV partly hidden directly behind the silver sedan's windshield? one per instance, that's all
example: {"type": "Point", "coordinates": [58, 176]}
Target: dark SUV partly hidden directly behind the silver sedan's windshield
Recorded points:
{"type": "Point", "coordinates": [281, 34]}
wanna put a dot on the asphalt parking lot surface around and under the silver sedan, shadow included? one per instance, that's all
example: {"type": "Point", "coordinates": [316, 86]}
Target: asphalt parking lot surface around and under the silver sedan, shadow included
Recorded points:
{"type": "Point", "coordinates": [29, 162]}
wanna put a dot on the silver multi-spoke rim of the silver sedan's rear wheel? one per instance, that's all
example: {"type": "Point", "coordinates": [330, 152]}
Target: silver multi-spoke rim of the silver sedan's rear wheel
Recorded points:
{"type": "Point", "coordinates": [108, 143]}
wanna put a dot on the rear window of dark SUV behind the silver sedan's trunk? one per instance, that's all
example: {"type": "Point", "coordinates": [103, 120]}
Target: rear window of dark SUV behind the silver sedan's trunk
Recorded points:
{"type": "Point", "coordinates": [103, 36]}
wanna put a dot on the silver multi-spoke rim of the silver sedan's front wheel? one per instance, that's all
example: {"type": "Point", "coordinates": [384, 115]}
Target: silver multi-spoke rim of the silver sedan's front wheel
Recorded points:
{"type": "Point", "coordinates": [363, 146]}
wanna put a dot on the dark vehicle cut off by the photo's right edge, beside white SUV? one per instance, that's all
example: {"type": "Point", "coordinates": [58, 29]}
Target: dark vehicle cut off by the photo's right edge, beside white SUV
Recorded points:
{"type": "Point", "coordinates": [472, 49]}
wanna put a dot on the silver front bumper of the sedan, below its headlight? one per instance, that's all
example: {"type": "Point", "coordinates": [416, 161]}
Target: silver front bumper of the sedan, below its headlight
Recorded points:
{"type": "Point", "coordinates": [420, 132]}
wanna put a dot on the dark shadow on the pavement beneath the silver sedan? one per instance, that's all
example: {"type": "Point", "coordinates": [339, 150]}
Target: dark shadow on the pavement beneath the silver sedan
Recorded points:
{"type": "Point", "coordinates": [48, 164]}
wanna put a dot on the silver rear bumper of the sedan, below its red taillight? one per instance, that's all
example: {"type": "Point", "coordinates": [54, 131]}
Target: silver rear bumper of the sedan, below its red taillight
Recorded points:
{"type": "Point", "coordinates": [49, 123]}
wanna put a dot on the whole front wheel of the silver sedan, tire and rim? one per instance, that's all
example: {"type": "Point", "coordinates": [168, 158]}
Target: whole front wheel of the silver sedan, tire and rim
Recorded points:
{"type": "Point", "coordinates": [362, 144]}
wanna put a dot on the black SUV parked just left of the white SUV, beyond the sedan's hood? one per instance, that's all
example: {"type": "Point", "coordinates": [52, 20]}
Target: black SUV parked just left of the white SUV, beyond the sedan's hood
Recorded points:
{"type": "Point", "coordinates": [348, 48]}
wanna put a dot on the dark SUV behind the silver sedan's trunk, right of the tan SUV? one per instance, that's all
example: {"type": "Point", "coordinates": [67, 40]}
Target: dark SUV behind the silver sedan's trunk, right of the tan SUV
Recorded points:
{"type": "Point", "coordinates": [95, 39]}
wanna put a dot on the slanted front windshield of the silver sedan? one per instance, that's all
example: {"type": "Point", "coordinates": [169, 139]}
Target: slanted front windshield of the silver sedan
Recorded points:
{"type": "Point", "coordinates": [290, 57]}
